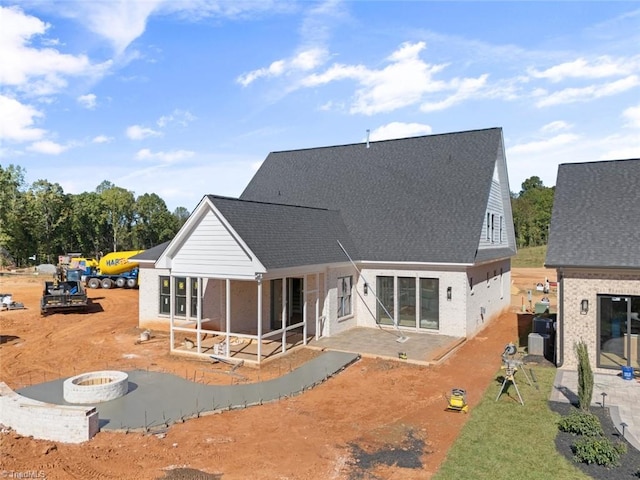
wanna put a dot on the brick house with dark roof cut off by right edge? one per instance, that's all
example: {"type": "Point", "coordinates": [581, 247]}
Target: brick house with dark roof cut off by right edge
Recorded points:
{"type": "Point", "coordinates": [594, 245]}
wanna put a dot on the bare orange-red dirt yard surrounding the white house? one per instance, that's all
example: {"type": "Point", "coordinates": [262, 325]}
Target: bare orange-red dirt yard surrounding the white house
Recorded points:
{"type": "Point", "coordinates": [378, 419]}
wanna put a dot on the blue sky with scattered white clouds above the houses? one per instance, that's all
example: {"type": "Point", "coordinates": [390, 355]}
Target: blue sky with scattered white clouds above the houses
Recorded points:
{"type": "Point", "coordinates": [185, 98]}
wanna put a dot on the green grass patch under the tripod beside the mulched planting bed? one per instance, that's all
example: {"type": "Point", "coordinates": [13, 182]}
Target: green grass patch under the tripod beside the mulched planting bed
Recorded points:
{"type": "Point", "coordinates": [505, 440]}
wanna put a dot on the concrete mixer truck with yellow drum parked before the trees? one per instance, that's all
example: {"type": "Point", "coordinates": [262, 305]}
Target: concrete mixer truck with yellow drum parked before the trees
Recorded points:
{"type": "Point", "coordinates": [112, 270]}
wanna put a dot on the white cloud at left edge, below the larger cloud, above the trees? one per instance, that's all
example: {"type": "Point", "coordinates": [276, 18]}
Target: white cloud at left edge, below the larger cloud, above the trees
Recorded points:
{"type": "Point", "coordinates": [17, 121]}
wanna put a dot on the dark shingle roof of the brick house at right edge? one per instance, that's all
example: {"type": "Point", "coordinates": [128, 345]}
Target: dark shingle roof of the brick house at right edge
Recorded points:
{"type": "Point", "coordinates": [596, 215]}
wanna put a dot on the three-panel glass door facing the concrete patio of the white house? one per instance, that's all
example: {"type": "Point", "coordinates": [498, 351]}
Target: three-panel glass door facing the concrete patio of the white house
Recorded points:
{"type": "Point", "coordinates": [417, 301]}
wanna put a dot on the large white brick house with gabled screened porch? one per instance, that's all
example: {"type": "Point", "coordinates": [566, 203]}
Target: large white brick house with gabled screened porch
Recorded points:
{"type": "Point", "coordinates": [413, 234]}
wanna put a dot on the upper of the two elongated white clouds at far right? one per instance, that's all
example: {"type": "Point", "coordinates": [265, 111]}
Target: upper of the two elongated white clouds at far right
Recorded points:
{"type": "Point", "coordinates": [601, 67]}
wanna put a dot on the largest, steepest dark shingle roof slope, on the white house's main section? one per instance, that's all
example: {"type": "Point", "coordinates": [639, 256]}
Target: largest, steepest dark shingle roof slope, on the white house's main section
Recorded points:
{"type": "Point", "coordinates": [419, 199]}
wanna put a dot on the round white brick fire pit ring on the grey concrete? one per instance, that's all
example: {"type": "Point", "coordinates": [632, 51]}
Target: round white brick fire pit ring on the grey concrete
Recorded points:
{"type": "Point", "coordinates": [95, 387]}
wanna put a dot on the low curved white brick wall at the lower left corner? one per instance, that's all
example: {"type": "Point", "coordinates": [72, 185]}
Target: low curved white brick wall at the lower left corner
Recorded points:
{"type": "Point", "coordinates": [46, 421]}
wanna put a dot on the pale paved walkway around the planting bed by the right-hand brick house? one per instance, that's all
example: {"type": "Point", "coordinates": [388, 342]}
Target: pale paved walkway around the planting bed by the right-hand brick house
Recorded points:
{"type": "Point", "coordinates": [622, 399]}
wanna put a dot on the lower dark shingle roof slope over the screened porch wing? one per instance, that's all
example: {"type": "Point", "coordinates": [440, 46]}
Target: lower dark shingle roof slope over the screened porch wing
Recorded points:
{"type": "Point", "coordinates": [284, 236]}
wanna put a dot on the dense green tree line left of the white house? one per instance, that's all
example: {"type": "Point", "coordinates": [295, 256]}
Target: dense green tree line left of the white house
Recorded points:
{"type": "Point", "coordinates": [40, 221]}
